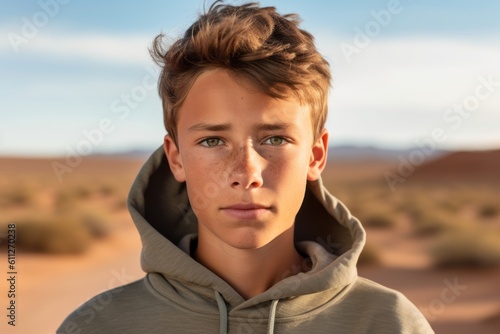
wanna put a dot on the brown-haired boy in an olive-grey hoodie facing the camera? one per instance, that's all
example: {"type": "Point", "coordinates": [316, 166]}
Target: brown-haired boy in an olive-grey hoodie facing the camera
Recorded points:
{"type": "Point", "coordinates": [239, 235]}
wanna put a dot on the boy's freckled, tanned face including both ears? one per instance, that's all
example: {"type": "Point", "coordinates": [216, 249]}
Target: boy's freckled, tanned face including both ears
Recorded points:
{"type": "Point", "coordinates": [245, 158]}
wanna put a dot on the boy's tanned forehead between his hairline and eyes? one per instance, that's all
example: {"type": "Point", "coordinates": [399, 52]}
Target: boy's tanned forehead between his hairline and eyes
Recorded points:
{"type": "Point", "coordinates": [219, 101]}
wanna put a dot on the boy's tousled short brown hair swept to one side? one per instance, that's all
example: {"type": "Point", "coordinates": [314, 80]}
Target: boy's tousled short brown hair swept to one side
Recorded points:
{"type": "Point", "coordinates": [267, 48]}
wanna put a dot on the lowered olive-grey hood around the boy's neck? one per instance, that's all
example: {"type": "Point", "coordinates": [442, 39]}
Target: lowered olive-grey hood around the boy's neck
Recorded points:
{"type": "Point", "coordinates": [324, 229]}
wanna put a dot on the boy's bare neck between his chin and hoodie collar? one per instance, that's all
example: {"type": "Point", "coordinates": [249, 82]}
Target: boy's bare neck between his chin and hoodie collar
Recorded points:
{"type": "Point", "coordinates": [252, 271]}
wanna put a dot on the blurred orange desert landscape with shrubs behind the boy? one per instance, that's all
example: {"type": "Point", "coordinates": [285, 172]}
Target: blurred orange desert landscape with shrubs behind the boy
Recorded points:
{"type": "Point", "coordinates": [433, 233]}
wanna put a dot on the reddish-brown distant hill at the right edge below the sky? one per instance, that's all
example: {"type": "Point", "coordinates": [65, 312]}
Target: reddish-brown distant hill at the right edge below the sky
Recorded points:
{"type": "Point", "coordinates": [461, 166]}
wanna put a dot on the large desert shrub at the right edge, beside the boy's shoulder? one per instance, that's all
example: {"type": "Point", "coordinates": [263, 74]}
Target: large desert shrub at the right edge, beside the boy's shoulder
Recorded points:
{"type": "Point", "coordinates": [467, 246]}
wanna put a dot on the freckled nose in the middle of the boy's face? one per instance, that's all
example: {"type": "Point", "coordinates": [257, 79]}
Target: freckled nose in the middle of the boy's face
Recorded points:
{"type": "Point", "coordinates": [247, 169]}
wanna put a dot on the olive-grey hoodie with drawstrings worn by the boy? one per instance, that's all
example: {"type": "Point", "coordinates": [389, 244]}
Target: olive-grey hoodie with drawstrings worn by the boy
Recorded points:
{"type": "Point", "coordinates": [179, 295]}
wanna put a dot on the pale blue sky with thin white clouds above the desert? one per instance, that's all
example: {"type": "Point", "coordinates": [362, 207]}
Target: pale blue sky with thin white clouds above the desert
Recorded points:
{"type": "Point", "coordinates": [76, 76]}
